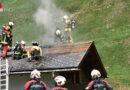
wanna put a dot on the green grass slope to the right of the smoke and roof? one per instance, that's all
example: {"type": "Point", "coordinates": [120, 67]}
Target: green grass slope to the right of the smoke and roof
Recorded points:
{"type": "Point", "coordinates": [107, 23]}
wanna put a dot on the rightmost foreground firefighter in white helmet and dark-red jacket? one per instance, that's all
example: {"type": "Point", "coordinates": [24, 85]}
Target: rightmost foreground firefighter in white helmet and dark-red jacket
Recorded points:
{"type": "Point", "coordinates": [97, 83]}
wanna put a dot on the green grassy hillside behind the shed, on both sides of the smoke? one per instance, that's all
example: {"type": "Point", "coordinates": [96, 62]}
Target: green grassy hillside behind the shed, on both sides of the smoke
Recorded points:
{"type": "Point", "coordinates": [106, 22]}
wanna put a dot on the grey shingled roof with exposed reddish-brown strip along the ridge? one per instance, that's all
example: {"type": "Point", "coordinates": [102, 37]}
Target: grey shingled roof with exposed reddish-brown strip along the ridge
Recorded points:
{"type": "Point", "coordinates": [55, 57]}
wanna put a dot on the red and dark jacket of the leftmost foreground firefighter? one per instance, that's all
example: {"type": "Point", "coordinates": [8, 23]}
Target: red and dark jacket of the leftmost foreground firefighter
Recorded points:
{"type": "Point", "coordinates": [35, 85]}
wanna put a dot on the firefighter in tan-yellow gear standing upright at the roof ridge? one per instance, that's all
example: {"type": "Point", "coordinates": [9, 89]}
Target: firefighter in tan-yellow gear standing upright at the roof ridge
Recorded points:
{"type": "Point", "coordinates": [68, 29]}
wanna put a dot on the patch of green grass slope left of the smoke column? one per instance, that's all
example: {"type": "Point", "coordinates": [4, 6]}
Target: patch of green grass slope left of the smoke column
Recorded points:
{"type": "Point", "coordinates": [21, 13]}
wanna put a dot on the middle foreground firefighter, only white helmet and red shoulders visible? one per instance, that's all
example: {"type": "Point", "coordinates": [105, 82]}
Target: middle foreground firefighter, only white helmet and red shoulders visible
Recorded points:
{"type": "Point", "coordinates": [60, 82]}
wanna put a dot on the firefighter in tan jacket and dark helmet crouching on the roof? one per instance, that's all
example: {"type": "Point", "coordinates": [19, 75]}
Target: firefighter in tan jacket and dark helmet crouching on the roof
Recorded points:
{"type": "Point", "coordinates": [35, 53]}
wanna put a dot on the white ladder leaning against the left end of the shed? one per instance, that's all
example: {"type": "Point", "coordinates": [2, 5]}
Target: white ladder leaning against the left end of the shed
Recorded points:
{"type": "Point", "coordinates": [4, 75]}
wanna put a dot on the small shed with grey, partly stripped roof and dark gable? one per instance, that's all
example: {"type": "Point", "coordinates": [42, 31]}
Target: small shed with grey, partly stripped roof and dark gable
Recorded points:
{"type": "Point", "coordinates": [74, 61]}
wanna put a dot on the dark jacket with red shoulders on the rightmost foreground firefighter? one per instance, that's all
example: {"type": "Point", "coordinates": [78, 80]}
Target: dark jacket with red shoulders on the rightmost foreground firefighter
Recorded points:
{"type": "Point", "coordinates": [99, 84]}
